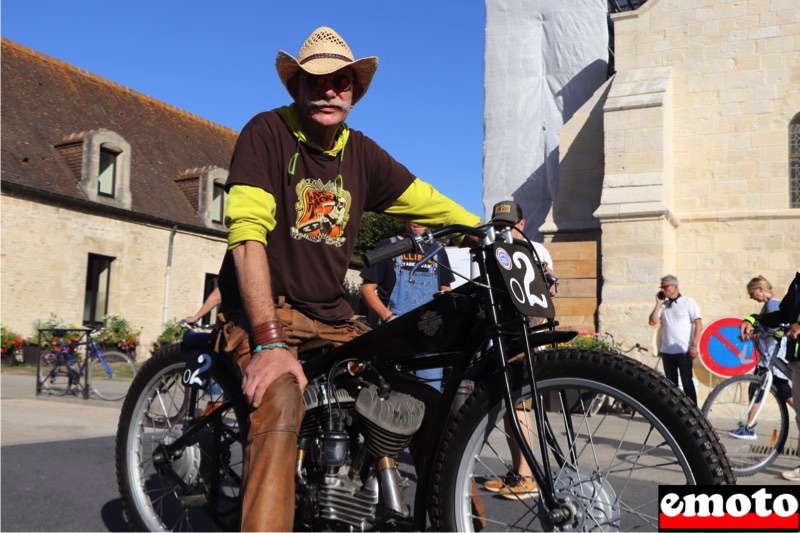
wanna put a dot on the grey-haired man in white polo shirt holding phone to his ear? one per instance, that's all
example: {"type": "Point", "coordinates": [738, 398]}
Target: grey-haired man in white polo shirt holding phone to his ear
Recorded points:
{"type": "Point", "coordinates": [682, 326]}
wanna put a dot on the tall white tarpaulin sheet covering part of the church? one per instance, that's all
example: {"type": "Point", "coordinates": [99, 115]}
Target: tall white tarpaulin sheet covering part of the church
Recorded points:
{"type": "Point", "coordinates": [543, 60]}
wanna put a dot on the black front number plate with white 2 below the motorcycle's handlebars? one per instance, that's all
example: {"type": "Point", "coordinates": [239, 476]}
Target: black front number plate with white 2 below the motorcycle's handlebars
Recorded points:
{"type": "Point", "coordinates": [524, 280]}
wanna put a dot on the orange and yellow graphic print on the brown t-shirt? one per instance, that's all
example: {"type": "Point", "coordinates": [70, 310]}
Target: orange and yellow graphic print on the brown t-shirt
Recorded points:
{"type": "Point", "coordinates": [322, 212]}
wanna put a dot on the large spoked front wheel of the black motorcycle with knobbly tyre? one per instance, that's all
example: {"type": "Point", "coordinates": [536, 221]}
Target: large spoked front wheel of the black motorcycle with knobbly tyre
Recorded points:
{"type": "Point", "coordinates": [606, 468]}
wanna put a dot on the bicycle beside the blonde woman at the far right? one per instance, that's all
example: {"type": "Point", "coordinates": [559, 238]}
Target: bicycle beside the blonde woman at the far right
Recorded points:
{"type": "Point", "coordinates": [750, 413]}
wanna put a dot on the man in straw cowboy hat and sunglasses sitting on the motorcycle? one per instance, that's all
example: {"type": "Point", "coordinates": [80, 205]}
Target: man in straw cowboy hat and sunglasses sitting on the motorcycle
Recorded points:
{"type": "Point", "coordinates": [299, 183]}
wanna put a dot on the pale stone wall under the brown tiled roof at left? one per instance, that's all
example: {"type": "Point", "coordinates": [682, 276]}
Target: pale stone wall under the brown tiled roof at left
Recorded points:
{"type": "Point", "coordinates": [48, 279]}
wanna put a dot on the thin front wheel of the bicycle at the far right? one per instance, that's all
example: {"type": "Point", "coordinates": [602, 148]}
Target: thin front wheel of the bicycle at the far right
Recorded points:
{"type": "Point", "coordinates": [727, 407]}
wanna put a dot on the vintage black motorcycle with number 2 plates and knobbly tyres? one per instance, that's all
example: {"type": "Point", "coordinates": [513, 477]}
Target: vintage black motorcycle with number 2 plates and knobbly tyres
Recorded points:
{"type": "Point", "coordinates": [183, 424]}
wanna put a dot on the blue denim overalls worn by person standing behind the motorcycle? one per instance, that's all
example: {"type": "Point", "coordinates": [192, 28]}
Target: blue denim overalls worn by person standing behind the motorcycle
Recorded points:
{"type": "Point", "coordinates": [409, 294]}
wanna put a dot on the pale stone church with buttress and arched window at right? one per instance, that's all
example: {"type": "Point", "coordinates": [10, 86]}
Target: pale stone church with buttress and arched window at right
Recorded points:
{"type": "Point", "coordinates": [687, 160]}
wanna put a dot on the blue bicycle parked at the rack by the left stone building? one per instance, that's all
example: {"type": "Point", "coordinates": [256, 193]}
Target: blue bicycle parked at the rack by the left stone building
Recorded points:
{"type": "Point", "coordinates": [78, 366]}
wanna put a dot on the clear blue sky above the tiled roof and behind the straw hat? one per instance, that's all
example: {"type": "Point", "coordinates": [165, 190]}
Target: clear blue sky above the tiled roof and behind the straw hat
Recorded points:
{"type": "Point", "coordinates": [216, 60]}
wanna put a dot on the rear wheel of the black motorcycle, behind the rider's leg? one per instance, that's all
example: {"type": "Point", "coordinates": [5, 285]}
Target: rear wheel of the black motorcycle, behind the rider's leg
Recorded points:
{"type": "Point", "coordinates": [198, 488]}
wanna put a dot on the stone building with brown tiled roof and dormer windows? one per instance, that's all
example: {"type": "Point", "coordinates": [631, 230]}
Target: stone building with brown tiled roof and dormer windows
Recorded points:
{"type": "Point", "coordinates": [112, 201]}
